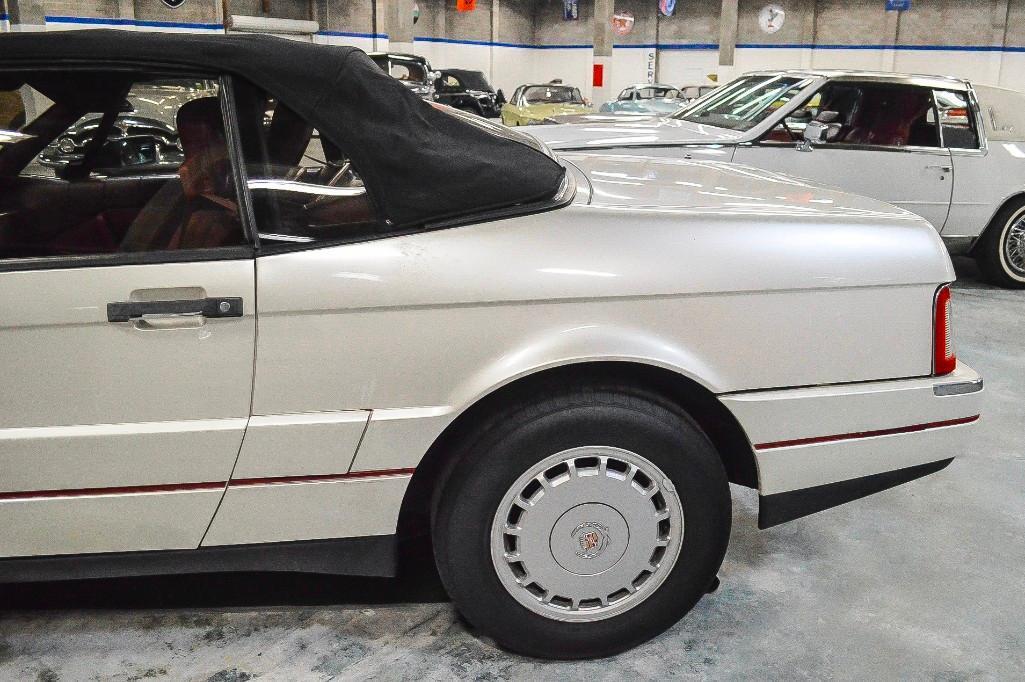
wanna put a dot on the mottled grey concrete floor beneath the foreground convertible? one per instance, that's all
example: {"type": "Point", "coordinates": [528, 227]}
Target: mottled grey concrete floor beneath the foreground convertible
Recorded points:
{"type": "Point", "coordinates": [923, 582]}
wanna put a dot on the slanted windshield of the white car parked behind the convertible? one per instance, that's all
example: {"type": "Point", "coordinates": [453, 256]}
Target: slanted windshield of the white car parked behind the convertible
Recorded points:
{"type": "Point", "coordinates": [745, 103]}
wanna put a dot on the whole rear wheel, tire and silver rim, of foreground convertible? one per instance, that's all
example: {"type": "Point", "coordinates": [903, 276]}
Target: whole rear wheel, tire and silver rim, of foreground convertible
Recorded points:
{"type": "Point", "coordinates": [584, 525]}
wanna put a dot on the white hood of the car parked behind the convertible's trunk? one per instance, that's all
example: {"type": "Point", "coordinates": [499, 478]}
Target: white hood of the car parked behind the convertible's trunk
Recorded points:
{"type": "Point", "coordinates": [633, 132]}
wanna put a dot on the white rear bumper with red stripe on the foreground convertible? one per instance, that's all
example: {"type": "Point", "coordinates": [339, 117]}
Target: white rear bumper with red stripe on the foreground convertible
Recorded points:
{"type": "Point", "coordinates": [823, 447]}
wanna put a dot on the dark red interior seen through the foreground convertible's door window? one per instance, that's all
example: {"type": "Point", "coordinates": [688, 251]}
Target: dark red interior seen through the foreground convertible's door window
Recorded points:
{"type": "Point", "coordinates": [73, 211]}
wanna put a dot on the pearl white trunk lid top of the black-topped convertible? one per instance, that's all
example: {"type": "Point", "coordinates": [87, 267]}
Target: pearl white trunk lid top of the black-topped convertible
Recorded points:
{"type": "Point", "coordinates": [714, 188]}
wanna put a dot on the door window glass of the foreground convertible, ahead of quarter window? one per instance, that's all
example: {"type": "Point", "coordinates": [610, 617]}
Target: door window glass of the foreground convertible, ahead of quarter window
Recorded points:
{"type": "Point", "coordinates": [113, 164]}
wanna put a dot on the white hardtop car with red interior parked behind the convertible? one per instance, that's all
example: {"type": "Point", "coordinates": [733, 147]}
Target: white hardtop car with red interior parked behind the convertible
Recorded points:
{"type": "Point", "coordinates": [949, 151]}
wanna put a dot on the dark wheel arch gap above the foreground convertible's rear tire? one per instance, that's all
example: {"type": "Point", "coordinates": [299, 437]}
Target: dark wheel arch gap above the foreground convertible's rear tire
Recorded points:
{"type": "Point", "coordinates": [699, 402]}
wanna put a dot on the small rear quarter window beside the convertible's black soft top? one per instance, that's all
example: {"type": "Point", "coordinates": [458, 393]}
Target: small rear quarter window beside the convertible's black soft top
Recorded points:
{"type": "Point", "coordinates": [305, 188]}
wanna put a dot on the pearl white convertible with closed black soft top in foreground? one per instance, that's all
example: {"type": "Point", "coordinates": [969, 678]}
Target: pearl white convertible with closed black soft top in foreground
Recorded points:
{"type": "Point", "coordinates": [351, 319]}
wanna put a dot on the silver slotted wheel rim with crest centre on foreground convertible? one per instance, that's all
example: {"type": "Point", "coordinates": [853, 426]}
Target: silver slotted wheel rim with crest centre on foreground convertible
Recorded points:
{"type": "Point", "coordinates": [588, 534]}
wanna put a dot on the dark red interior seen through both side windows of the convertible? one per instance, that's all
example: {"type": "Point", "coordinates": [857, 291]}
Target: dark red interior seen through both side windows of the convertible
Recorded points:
{"type": "Point", "coordinates": [77, 206]}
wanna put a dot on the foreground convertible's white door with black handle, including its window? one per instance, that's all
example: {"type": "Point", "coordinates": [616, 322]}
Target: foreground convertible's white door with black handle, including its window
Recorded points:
{"type": "Point", "coordinates": [127, 337]}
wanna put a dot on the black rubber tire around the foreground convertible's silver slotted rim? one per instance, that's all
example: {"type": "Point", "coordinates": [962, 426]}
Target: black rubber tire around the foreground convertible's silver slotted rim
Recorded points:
{"type": "Point", "coordinates": [506, 447]}
